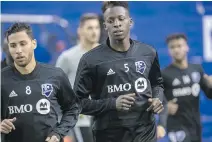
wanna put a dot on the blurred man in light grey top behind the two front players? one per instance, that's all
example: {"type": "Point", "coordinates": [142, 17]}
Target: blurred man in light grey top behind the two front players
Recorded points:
{"type": "Point", "coordinates": [89, 34]}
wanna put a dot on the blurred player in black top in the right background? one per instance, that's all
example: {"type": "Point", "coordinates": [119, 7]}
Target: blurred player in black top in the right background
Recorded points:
{"type": "Point", "coordinates": [183, 82]}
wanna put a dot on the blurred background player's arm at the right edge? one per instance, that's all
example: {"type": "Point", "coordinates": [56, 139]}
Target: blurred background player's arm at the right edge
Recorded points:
{"type": "Point", "coordinates": [206, 83]}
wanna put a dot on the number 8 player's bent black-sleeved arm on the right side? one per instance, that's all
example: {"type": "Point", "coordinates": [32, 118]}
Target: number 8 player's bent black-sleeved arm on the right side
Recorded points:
{"type": "Point", "coordinates": [70, 106]}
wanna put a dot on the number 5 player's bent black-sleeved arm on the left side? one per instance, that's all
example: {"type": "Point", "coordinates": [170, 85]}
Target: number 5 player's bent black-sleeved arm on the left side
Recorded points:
{"type": "Point", "coordinates": [83, 87]}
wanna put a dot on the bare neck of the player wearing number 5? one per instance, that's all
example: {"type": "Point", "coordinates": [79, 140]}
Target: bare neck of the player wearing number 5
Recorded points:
{"type": "Point", "coordinates": [122, 45]}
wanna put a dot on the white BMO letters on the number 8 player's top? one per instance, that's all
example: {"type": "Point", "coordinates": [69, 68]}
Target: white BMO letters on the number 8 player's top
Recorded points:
{"type": "Point", "coordinates": [20, 109]}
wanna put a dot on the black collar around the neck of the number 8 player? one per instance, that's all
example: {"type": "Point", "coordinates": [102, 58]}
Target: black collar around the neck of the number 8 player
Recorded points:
{"type": "Point", "coordinates": [29, 76]}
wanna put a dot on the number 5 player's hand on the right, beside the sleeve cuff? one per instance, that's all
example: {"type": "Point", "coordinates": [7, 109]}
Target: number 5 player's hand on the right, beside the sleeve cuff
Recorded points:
{"type": "Point", "coordinates": [155, 105]}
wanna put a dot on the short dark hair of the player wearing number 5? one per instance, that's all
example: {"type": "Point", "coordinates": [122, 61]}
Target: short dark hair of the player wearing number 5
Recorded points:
{"type": "Point", "coordinates": [109, 4]}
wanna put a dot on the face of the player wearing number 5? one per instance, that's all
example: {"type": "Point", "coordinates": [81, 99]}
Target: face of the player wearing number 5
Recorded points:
{"type": "Point", "coordinates": [117, 22]}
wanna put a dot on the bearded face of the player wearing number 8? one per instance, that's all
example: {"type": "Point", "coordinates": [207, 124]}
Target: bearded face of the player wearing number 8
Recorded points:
{"type": "Point", "coordinates": [21, 48]}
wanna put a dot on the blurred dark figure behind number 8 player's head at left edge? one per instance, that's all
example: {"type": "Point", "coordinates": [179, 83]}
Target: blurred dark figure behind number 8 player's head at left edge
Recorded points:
{"type": "Point", "coordinates": [8, 59]}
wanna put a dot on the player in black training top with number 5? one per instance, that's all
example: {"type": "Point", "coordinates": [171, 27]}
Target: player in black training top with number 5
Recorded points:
{"type": "Point", "coordinates": [123, 78]}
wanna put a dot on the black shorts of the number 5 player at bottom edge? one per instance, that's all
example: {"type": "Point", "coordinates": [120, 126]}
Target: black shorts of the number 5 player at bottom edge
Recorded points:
{"type": "Point", "coordinates": [141, 133]}
